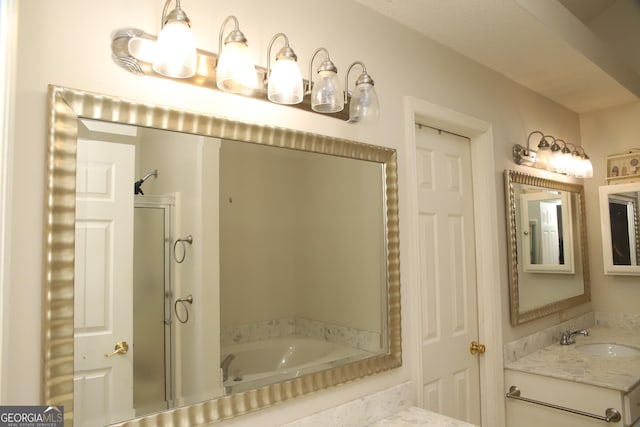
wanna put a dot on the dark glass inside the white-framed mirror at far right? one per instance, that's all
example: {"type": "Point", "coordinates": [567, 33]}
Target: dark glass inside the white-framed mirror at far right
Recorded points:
{"type": "Point", "coordinates": [623, 220]}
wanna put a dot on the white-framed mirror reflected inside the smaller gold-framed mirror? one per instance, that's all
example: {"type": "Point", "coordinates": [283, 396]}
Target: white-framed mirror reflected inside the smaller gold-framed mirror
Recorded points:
{"type": "Point", "coordinates": [546, 232]}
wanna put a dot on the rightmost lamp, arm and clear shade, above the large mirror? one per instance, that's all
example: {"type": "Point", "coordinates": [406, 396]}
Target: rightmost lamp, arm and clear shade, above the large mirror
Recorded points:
{"type": "Point", "coordinates": [364, 104]}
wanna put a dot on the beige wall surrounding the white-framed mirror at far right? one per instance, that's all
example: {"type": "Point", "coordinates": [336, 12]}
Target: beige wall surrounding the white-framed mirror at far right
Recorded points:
{"type": "Point", "coordinates": [607, 132]}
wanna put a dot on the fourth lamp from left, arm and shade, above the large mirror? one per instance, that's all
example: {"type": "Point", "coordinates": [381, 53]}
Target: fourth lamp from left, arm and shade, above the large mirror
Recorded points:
{"type": "Point", "coordinates": [326, 94]}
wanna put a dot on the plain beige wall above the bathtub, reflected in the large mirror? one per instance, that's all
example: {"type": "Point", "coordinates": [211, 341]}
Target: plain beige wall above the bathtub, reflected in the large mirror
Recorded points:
{"type": "Point", "coordinates": [282, 212]}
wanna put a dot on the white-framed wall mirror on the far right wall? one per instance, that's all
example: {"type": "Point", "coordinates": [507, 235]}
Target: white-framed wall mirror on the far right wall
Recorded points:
{"type": "Point", "coordinates": [619, 224]}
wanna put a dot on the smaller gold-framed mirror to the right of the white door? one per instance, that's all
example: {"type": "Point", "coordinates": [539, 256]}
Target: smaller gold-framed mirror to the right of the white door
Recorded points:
{"type": "Point", "coordinates": [547, 247]}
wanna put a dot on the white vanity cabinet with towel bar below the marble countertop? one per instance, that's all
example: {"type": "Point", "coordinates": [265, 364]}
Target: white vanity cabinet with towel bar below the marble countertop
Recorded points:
{"type": "Point", "coordinates": [570, 394]}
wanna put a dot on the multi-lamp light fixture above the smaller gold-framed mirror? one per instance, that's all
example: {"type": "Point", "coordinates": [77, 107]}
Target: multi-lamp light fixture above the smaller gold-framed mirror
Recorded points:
{"type": "Point", "coordinates": [555, 157]}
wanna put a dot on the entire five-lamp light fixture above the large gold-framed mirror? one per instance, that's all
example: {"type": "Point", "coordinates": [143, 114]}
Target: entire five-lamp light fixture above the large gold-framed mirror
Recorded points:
{"type": "Point", "coordinates": [173, 54]}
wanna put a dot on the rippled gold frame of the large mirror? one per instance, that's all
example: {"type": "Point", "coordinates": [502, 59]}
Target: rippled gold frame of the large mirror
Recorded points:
{"type": "Point", "coordinates": [65, 106]}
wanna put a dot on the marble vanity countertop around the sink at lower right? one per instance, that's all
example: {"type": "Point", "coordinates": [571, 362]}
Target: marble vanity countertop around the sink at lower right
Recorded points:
{"type": "Point", "coordinates": [567, 363]}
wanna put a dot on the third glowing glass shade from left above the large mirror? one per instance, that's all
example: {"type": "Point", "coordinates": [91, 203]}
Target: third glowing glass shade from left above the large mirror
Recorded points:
{"type": "Point", "coordinates": [285, 82]}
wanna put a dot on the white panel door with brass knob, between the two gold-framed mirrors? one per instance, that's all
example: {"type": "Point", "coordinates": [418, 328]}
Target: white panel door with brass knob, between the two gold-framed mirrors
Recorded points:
{"type": "Point", "coordinates": [447, 278]}
